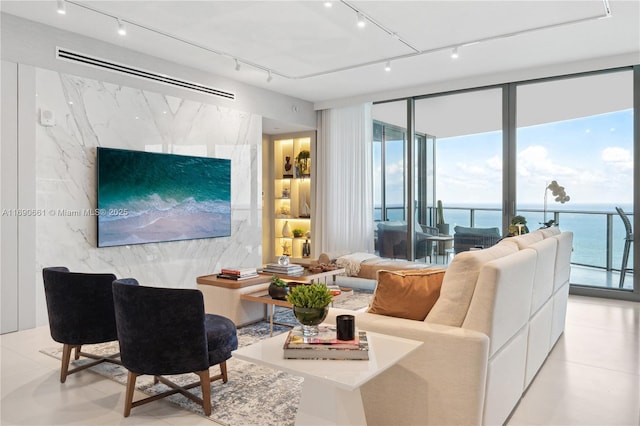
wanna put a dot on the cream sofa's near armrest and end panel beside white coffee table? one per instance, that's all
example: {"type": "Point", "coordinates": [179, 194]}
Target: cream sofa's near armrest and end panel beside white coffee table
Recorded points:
{"type": "Point", "coordinates": [441, 382]}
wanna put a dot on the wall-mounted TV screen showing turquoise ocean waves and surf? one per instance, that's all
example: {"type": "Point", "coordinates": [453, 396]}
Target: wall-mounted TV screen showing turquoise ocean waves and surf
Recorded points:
{"type": "Point", "coordinates": [146, 197]}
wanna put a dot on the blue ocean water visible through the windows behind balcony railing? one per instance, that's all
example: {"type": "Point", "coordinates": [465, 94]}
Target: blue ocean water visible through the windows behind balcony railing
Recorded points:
{"type": "Point", "coordinates": [588, 222]}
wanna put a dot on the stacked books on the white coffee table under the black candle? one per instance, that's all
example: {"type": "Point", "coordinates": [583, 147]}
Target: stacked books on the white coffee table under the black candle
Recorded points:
{"type": "Point", "coordinates": [325, 345]}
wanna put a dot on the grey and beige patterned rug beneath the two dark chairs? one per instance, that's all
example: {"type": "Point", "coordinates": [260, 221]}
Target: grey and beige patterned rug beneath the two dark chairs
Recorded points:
{"type": "Point", "coordinates": [253, 395]}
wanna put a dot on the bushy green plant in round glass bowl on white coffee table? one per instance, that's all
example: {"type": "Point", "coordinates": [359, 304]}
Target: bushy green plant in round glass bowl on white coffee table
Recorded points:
{"type": "Point", "coordinates": [310, 306]}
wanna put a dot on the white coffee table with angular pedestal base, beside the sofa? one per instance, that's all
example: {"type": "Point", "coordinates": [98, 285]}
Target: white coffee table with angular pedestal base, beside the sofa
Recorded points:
{"type": "Point", "coordinates": [331, 388]}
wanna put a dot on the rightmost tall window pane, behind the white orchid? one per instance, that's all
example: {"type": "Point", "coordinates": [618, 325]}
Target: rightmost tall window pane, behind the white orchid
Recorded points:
{"type": "Point", "coordinates": [579, 132]}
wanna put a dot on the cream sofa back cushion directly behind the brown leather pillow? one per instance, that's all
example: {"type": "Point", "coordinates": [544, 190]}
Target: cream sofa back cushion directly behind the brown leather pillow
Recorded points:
{"type": "Point", "coordinates": [459, 283]}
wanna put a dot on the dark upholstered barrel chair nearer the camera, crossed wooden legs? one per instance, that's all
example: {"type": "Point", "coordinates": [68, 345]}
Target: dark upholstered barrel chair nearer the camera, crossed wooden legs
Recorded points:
{"type": "Point", "coordinates": [164, 331]}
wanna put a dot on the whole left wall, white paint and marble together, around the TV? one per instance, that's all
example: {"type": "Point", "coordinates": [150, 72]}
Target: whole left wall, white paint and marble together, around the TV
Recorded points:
{"type": "Point", "coordinates": [49, 168]}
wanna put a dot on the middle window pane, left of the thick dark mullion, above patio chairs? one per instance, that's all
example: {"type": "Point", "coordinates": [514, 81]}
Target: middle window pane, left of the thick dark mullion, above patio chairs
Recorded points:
{"type": "Point", "coordinates": [468, 172]}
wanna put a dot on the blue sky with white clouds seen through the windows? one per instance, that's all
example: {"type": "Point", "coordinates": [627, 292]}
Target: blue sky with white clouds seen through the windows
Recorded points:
{"type": "Point", "coordinates": [591, 157]}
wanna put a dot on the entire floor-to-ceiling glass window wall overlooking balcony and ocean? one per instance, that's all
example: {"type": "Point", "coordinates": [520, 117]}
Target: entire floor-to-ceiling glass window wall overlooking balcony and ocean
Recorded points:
{"type": "Point", "coordinates": [557, 151]}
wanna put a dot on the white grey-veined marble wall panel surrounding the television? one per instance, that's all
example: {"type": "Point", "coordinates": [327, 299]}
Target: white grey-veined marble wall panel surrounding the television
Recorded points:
{"type": "Point", "coordinates": [90, 113]}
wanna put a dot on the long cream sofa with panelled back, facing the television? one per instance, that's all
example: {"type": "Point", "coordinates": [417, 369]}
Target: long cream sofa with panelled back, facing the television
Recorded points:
{"type": "Point", "coordinates": [499, 313]}
